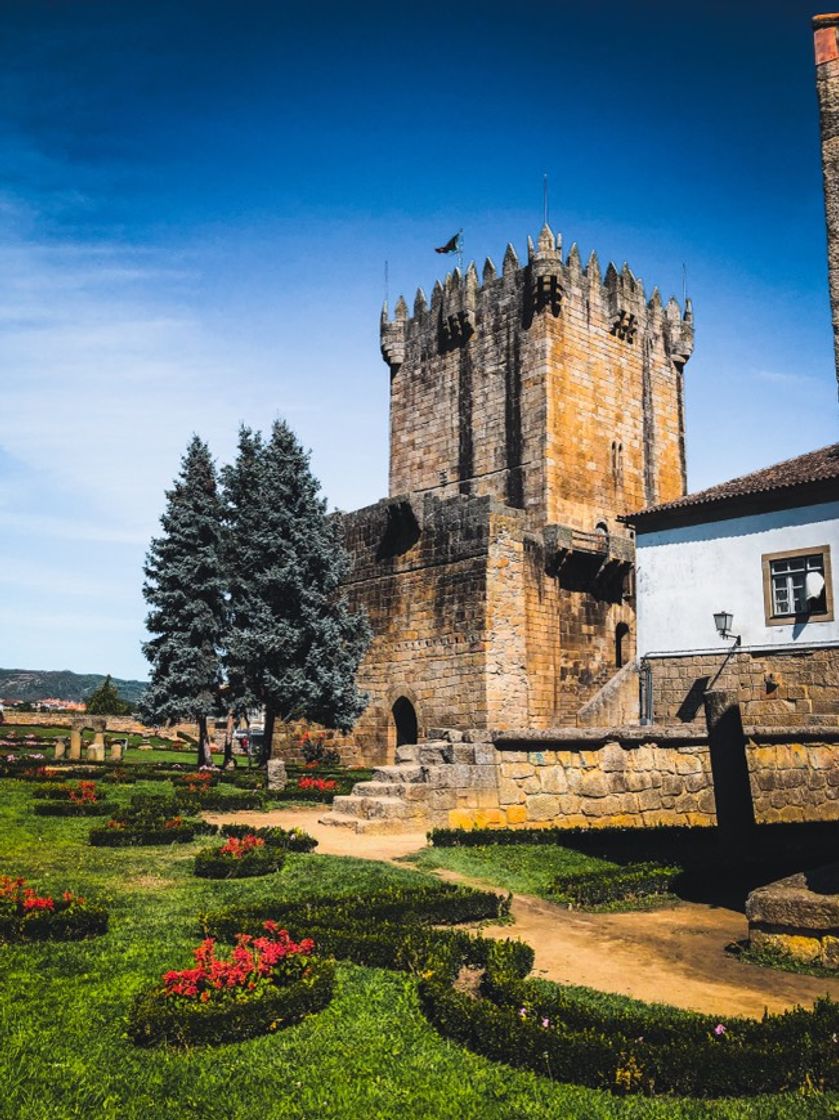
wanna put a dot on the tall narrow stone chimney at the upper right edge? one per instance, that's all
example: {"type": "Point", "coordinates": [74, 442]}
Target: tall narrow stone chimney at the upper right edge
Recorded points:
{"type": "Point", "coordinates": [826, 41]}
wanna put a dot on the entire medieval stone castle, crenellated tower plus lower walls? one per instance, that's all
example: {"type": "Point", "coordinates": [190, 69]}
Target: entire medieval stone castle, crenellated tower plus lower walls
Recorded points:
{"type": "Point", "coordinates": [529, 412]}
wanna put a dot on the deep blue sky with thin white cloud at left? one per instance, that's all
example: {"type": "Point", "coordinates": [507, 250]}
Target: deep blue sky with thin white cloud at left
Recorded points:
{"type": "Point", "coordinates": [198, 200]}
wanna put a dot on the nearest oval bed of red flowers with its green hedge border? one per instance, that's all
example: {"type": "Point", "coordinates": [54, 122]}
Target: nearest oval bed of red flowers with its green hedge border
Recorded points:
{"type": "Point", "coordinates": [268, 982]}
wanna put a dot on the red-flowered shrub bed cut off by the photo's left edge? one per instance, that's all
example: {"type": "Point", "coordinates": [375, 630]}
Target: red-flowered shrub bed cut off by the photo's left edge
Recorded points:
{"type": "Point", "coordinates": [27, 917]}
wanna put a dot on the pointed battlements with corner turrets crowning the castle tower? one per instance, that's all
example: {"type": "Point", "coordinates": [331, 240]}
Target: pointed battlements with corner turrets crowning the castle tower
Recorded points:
{"type": "Point", "coordinates": [617, 302]}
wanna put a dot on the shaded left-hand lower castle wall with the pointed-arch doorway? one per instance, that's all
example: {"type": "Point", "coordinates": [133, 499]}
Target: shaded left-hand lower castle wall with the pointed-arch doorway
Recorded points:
{"type": "Point", "coordinates": [425, 594]}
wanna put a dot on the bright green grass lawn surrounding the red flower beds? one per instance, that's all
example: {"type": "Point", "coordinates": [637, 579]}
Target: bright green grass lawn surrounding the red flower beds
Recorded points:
{"type": "Point", "coordinates": [370, 1054]}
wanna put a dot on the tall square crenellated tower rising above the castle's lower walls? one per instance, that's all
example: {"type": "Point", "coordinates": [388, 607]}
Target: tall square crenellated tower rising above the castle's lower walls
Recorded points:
{"type": "Point", "coordinates": [548, 388]}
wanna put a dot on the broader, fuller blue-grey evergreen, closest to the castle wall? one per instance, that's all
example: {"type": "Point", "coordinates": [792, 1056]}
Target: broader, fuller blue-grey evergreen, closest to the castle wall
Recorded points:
{"type": "Point", "coordinates": [293, 643]}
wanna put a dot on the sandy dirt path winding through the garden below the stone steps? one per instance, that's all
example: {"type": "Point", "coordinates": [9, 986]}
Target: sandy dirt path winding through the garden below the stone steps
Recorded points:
{"type": "Point", "coordinates": [674, 956]}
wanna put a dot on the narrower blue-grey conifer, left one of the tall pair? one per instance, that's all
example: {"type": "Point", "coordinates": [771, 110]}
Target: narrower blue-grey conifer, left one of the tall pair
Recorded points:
{"type": "Point", "coordinates": [185, 587]}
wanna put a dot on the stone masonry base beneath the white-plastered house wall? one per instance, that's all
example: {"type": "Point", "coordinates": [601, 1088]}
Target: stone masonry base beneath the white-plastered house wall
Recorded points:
{"type": "Point", "coordinates": [775, 689]}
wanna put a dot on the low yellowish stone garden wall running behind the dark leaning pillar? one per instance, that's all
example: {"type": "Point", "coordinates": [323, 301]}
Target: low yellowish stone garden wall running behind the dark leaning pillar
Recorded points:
{"type": "Point", "coordinates": [637, 778]}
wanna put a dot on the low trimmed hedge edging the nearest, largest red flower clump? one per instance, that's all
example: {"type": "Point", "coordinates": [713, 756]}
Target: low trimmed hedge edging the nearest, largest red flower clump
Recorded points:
{"type": "Point", "coordinates": [156, 1018]}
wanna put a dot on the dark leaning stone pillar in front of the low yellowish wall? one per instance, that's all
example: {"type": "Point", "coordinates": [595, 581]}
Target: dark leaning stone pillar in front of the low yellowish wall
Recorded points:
{"type": "Point", "coordinates": [730, 769]}
